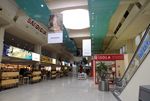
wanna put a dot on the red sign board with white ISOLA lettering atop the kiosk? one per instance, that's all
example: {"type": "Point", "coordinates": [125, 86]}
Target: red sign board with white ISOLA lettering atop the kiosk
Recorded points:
{"type": "Point", "coordinates": [108, 57]}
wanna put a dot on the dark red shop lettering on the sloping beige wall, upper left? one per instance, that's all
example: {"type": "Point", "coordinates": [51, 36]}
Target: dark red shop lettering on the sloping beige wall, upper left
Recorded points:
{"type": "Point", "coordinates": [36, 26]}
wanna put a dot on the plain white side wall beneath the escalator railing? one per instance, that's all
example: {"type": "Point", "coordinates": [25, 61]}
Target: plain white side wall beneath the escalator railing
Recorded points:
{"type": "Point", "coordinates": [141, 77]}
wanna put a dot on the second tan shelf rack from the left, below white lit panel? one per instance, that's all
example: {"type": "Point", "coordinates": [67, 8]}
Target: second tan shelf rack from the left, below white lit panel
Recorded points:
{"type": "Point", "coordinates": [36, 76]}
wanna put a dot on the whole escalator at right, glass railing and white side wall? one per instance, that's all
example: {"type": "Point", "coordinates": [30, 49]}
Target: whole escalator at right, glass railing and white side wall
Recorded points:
{"type": "Point", "coordinates": [137, 72]}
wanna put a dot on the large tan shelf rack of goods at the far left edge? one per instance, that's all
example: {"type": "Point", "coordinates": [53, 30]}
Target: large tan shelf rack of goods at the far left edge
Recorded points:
{"type": "Point", "coordinates": [9, 76]}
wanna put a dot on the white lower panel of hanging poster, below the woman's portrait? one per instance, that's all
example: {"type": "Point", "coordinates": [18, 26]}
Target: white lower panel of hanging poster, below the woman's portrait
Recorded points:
{"type": "Point", "coordinates": [55, 38]}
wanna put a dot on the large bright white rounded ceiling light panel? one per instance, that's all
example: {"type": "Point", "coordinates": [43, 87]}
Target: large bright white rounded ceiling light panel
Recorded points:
{"type": "Point", "coordinates": [76, 18]}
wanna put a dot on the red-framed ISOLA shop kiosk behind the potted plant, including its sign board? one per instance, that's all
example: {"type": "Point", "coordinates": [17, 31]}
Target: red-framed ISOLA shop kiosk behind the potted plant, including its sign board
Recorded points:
{"type": "Point", "coordinates": [115, 66]}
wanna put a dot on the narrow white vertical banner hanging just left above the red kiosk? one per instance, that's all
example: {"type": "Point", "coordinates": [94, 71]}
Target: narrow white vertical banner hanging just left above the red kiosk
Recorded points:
{"type": "Point", "coordinates": [86, 46]}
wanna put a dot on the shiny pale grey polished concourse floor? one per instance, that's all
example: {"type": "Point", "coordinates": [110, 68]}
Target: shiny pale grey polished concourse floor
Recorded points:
{"type": "Point", "coordinates": [63, 89]}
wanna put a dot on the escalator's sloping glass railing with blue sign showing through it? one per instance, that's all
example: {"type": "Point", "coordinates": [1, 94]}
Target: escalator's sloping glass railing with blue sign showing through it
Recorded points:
{"type": "Point", "coordinates": [142, 51]}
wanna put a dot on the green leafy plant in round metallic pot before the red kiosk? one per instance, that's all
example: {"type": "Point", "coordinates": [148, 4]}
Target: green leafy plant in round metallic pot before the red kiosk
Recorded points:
{"type": "Point", "coordinates": [102, 70]}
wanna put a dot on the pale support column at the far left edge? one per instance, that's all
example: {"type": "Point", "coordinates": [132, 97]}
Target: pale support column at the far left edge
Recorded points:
{"type": "Point", "coordinates": [2, 31]}
